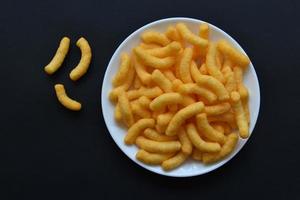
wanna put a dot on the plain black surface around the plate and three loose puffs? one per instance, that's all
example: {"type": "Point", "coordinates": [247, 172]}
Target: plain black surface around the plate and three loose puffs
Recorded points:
{"type": "Point", "coordinates": [48, 152]}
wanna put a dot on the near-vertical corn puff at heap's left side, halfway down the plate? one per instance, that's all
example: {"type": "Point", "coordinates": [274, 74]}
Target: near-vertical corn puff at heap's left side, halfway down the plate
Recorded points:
{"type": "Point", "coordinates": [125, 109]}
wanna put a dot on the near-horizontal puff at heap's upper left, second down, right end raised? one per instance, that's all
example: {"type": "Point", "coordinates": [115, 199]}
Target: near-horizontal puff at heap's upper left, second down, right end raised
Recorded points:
{"type": "Point", "coordinates": [170, 50]}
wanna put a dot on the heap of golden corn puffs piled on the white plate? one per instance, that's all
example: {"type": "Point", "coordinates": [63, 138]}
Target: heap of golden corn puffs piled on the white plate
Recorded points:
{"type": "Point", "coordinates": [174, 110]}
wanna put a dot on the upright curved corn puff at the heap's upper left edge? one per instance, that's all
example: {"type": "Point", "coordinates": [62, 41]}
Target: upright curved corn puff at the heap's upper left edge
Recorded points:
{"type": "Point", "coordinates": [123, 71]}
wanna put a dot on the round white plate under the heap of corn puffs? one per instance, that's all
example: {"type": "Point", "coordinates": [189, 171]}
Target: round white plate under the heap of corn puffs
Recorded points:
{"type": "Point", "coordinates": [189, 168]}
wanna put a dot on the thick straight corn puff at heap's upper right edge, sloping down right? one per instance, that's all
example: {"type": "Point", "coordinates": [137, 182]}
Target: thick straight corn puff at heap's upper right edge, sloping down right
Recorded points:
{"type": "Point", "coordinates": [234, 55]}
